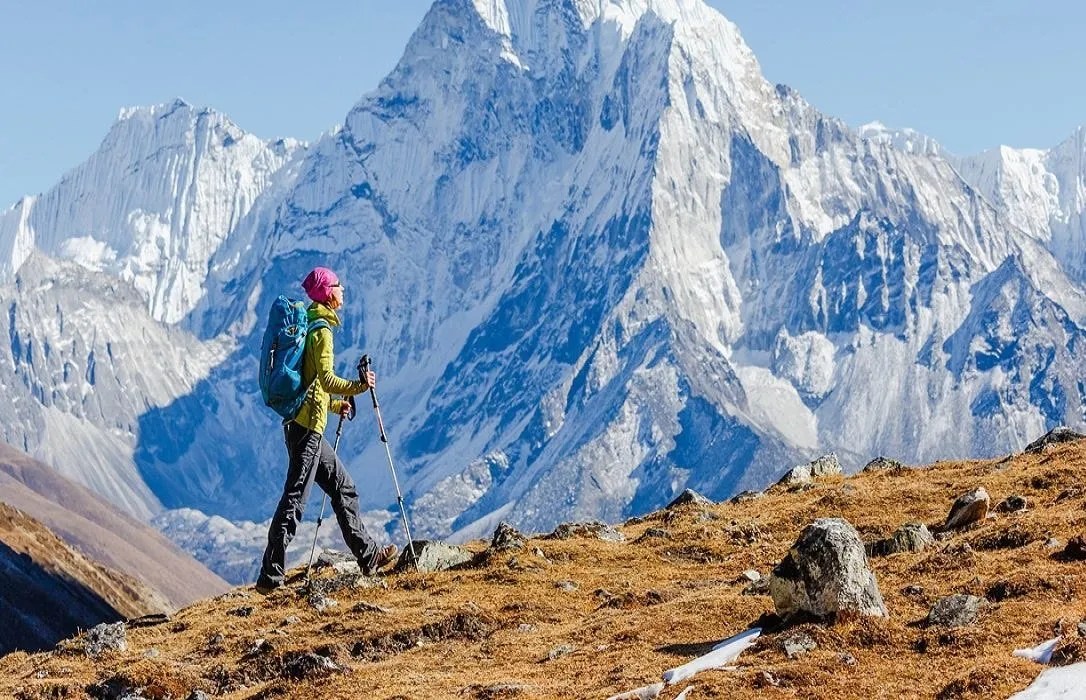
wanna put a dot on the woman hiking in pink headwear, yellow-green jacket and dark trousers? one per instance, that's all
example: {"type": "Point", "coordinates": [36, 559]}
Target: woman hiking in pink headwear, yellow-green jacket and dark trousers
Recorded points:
{"type": "Point", "coordinates": [312, 459]}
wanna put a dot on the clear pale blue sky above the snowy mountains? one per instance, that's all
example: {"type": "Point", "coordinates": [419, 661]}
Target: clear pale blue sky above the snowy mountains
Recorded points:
{"type": "Point", "coordinates": [974, 75]}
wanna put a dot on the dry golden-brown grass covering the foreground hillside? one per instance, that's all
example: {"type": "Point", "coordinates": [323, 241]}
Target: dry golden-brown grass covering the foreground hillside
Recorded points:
{"type": "Point", "coordinates": [642, 607]}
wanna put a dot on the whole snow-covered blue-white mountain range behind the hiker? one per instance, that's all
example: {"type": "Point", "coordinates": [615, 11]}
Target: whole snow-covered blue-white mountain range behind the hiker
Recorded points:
{"type": "Point", "coordinates": [596, 257]}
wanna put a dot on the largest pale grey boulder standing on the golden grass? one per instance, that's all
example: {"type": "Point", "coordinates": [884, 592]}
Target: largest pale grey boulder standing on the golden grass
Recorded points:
{"type": "Point", "coordinates": [827, 572]}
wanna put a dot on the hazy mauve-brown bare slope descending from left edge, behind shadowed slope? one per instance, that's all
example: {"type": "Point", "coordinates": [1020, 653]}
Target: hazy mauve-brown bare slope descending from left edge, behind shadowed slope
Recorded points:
{"type": "Point", "coordinates": [102, 532]}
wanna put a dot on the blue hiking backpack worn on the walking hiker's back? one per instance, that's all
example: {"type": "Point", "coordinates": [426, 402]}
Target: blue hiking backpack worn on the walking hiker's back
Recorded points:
{"type": "Point", "coordinates": [282, 355]}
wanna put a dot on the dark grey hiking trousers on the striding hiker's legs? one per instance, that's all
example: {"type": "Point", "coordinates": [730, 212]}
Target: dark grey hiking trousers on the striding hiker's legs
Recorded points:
{"type": "Point", "coordinates": [312, 460]}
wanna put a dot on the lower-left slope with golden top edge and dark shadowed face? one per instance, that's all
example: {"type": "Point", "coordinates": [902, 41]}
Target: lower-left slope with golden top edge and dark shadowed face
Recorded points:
{"type": "Point", "coordinates": [48, 591]}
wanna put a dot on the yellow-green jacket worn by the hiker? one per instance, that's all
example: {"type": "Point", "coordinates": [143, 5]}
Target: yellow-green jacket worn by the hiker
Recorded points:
{"type": "Point", "coordinates": [320, 376]}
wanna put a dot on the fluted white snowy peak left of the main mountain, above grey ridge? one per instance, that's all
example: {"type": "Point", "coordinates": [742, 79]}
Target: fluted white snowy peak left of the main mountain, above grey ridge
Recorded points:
{"type": "Point", "coordinates": [166, 189]}
